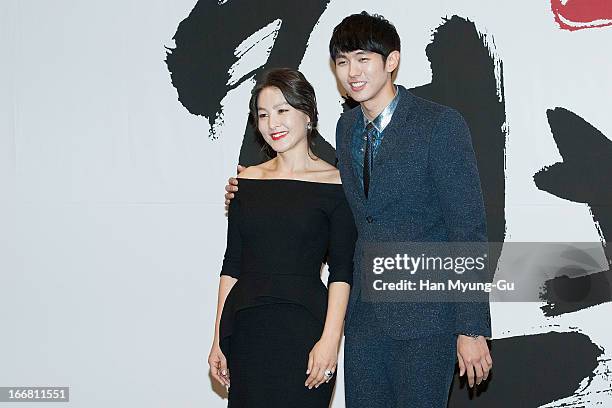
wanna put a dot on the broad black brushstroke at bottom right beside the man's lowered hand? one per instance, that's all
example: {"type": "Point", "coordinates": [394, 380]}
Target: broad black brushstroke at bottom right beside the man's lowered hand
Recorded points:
{"type": "Point", "coordinates": [530, 371]}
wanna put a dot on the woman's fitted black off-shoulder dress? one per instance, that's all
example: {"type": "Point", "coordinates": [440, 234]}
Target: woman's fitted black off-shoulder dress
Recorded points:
{"type": "Point", "coordinates": [279, 233]}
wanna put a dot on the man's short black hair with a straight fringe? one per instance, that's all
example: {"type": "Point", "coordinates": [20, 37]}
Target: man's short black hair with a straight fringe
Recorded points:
{"type": "Point", "coordinates": [367, 32]}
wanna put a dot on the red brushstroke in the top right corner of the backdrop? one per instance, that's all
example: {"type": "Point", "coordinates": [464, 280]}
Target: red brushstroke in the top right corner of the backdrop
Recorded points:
{"type": "Point", "coordinates": [580, 14]}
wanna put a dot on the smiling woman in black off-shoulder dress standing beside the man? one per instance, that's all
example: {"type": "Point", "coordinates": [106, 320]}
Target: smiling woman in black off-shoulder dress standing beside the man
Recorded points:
{"type": "Point", "coordinates": [278, 328]}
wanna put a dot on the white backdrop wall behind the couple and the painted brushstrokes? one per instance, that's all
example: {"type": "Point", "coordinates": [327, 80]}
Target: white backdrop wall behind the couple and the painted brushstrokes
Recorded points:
{"type": "Point", "coordinates": [112, 225]}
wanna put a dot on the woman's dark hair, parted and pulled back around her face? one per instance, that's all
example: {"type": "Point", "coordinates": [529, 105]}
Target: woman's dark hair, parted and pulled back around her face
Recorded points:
{"type": "Point", "coordinates": [298, 93]}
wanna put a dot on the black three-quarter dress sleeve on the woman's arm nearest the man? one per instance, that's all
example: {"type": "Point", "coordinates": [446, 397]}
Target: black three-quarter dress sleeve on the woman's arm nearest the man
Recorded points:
{"type": "Point", "coordinates": [343, 235]}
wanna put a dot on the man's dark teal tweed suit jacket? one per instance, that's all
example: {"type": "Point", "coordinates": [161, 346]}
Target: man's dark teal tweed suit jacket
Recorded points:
{"type": "Point", "coordinates": [424, 187]}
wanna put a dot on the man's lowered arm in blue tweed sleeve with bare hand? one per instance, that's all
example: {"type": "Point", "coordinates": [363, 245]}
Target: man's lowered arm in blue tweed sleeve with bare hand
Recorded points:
{"type": "Point", "coordinates": [457, 182]}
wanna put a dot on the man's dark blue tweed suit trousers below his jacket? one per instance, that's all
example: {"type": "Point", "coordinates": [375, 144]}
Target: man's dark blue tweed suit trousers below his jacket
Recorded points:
{"type": "Point", "coordinates": [380, 371]}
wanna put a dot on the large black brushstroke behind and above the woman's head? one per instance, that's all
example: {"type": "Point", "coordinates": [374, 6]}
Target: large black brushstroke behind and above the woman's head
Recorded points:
{"type": "Point", "coordinates": [205, 43]}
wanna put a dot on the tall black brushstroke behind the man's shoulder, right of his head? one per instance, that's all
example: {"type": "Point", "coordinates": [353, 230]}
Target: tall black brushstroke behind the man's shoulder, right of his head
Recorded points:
{"type": "Point", "coordinates": [463, 77]}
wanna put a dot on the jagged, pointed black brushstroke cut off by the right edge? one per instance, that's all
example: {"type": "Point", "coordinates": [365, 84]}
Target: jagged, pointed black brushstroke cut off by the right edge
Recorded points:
{"type": "Point", "coordinates": [583, 176]}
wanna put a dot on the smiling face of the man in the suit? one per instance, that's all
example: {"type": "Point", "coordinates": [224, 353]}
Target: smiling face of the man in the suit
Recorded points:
{"type": "Point", "coordinates": [363, 74]}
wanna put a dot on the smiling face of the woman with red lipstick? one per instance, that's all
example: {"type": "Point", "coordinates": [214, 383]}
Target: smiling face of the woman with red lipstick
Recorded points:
{"type": "Point", "coordinates": [282, 126]}
